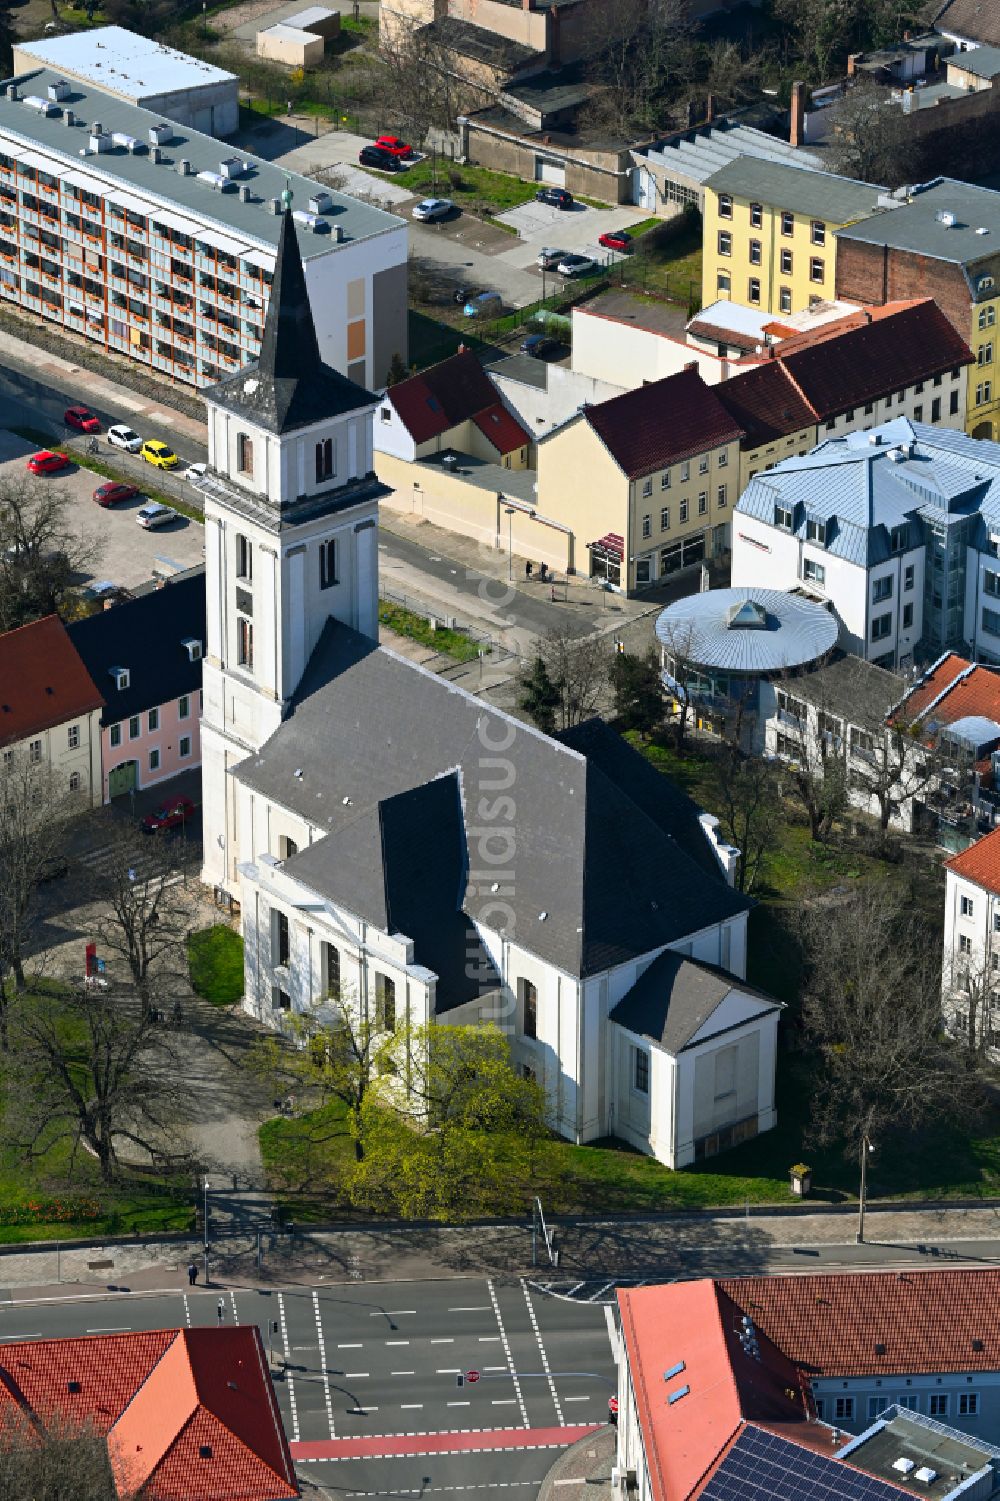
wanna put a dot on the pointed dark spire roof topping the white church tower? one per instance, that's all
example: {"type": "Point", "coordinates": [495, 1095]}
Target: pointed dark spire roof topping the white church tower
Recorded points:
{"type": "Point", "coordinates": [289, 387]}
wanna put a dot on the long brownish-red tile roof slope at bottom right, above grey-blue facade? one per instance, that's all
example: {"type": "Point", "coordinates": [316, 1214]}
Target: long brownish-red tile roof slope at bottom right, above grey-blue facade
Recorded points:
{"type": "Point", "coordinates": [830, 1326]}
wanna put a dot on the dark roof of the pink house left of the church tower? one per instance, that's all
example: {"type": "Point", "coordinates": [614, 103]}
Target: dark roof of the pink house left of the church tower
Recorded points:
{"type": "Point", "coordinates": [146, 637]}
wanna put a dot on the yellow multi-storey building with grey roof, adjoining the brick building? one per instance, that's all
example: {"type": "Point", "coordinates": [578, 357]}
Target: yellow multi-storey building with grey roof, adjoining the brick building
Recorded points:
{"type": "Point", "coordinates": [770, 233]}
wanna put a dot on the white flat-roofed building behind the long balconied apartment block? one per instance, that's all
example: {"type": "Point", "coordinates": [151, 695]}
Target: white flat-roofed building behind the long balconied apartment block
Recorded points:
{"type": "Point", "coordinates": [139, 71]}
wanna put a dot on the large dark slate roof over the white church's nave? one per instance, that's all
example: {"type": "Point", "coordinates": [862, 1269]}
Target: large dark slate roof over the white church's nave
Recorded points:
{"type": "Point", "coordinates": [604, 861]}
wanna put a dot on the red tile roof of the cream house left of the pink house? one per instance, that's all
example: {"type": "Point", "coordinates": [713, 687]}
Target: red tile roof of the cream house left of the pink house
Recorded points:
{"type": "Point", "coordinates": [43, 681]}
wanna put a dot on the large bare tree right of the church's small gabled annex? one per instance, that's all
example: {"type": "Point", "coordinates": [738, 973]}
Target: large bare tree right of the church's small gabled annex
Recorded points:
{"type": "Point", "coordinates": [872, 1014]}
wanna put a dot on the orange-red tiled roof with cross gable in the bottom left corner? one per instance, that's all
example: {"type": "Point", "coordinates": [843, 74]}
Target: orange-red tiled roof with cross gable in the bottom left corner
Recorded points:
{"type": "Point", "coordinates": [161, 1398]}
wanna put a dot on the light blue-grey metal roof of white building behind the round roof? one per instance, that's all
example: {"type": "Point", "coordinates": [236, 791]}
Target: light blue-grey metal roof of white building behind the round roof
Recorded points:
{"type": "Point", "coordinates": [869, 483]}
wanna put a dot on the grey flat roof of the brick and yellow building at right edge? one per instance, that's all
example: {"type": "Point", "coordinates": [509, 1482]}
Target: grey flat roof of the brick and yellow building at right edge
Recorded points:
{"type": "Point", "coordinates": [915, 226]}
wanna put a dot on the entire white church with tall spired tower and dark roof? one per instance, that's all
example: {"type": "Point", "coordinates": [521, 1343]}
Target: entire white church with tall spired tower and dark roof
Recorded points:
{"type": "Point", "coordinates": [423, 855]}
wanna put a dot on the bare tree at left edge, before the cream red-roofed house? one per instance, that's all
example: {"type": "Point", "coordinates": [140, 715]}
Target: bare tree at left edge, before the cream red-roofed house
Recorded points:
{"type": "Point", "coordinates": [34, 814]}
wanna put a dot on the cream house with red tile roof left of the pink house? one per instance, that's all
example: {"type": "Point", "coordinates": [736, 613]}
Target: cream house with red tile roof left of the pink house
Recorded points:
{"type": "Point", "coordinates": [50, 709]}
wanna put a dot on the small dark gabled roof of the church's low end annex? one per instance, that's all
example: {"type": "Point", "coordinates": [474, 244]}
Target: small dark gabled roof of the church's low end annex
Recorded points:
{"type": "Point", "coordinates": [675, 997]}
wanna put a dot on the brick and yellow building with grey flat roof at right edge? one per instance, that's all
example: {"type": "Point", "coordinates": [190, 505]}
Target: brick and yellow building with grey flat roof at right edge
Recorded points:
{"type": "Point", "coordinates": [939, 242]}
